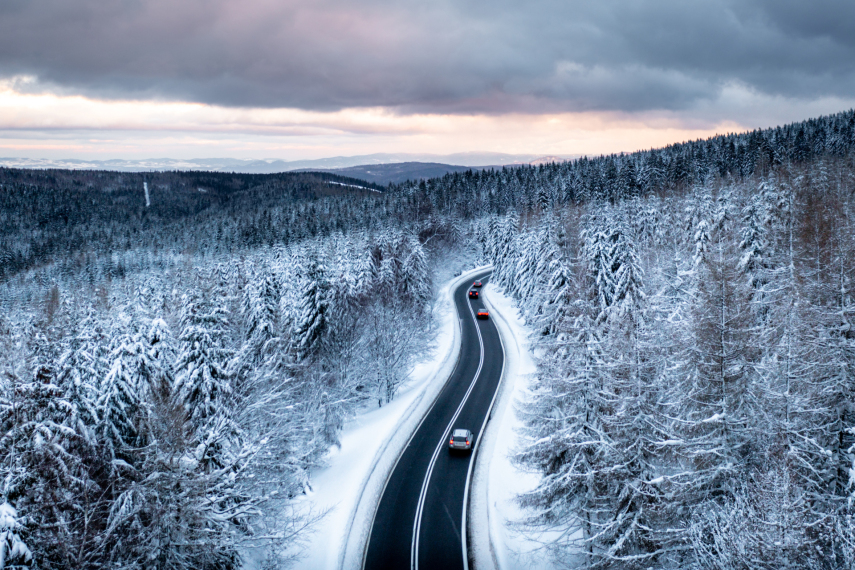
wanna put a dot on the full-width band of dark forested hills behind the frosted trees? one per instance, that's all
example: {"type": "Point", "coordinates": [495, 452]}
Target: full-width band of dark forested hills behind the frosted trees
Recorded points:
{"type": "Point", "coordinates": [47, 213]}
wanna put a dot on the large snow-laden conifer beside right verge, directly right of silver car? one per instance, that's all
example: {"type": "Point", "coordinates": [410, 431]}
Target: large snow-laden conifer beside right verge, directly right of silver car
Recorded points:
{"type": "Point", "coordinates": [572, 449]}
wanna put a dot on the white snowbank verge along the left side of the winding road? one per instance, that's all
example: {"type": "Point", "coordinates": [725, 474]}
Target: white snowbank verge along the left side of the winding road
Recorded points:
{"type": "Point", "coordinates": [349, 488]}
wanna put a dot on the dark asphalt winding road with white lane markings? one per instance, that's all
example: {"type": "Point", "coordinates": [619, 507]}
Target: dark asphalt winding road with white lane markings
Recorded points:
{"type": "Point", "coordinates": [421, 519]}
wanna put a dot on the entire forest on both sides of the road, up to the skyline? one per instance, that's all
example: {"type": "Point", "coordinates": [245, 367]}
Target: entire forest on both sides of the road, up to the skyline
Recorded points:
{"type": "Point", "coordinates": [169, 374]}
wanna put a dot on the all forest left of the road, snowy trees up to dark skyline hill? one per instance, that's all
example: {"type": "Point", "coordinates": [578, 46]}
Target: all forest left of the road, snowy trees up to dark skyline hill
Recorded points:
{"type": "Point", "coordinates": [169, 378]}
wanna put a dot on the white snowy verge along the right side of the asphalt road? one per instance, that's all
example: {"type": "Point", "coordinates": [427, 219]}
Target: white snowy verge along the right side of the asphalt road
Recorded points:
{"type": "Point", "coordinates": [496, 481]}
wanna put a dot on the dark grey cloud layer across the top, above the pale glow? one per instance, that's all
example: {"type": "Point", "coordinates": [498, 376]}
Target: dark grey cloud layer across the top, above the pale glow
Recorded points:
{"type": "Point", "coordinates": [440, 56]}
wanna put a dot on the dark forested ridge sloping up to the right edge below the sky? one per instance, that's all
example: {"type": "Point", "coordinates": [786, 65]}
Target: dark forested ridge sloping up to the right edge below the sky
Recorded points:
{"type": "Point", "coordinates": [616, 177]}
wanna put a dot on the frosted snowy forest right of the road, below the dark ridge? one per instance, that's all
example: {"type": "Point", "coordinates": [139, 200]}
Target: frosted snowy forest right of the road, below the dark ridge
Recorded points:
{"type": "Point", "coordinates": [695, 400]}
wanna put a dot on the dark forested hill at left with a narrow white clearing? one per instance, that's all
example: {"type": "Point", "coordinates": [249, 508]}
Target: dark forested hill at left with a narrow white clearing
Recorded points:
{"type": "Point", "coordinates": [50, 215]}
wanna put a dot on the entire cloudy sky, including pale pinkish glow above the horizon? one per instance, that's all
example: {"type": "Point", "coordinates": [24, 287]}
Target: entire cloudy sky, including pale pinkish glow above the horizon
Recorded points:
{"type": "Point", "coordinates": [305, 79]}
